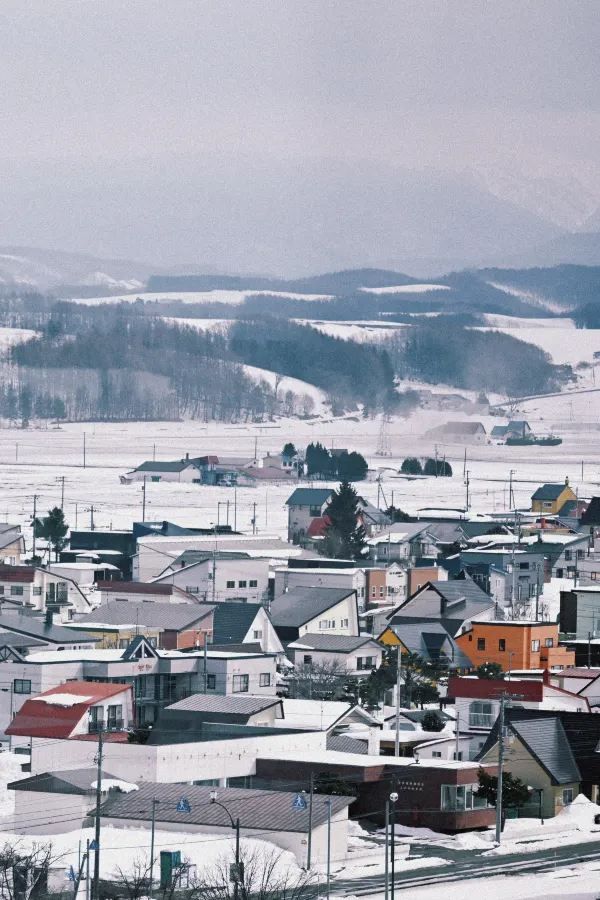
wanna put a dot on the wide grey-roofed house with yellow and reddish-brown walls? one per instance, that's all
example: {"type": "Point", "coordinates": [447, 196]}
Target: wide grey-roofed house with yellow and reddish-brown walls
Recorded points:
{"type": "Point", "coordinates": [169, 626]}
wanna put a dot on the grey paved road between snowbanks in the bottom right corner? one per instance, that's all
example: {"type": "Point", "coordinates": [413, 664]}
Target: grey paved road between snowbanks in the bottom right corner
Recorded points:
{"type": "Point", "coordinates": [472, 866]}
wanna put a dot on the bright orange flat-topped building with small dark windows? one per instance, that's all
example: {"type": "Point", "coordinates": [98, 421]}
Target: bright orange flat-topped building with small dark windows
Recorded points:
{"type": "Point", "coordinates": [515, 645]}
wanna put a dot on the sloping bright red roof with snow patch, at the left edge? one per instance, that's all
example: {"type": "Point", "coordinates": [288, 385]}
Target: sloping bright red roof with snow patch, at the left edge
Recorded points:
{"type": "Point", "coordinates": [56, 712]}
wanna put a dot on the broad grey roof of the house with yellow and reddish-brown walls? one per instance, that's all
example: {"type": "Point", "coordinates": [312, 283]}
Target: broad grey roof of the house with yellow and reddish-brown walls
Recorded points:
{"type": "Point", "coordinates": [166, 616]}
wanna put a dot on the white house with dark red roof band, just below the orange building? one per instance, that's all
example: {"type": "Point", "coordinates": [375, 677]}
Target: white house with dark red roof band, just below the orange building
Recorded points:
{"type": "Point", "coordinates": [477, 702]}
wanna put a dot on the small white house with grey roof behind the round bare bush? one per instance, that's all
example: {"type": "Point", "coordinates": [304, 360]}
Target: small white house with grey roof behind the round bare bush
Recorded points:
{"type": "Point", "coordinates": [356, 656]}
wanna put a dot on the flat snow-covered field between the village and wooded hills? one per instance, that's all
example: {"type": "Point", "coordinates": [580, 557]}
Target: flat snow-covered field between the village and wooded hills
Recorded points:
{"type": "Point", "coordinates": [31, 461]}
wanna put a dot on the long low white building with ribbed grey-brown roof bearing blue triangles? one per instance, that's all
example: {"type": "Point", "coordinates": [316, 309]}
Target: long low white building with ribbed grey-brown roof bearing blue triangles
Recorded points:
{"type": "Point", "coordinates": [259, 812]}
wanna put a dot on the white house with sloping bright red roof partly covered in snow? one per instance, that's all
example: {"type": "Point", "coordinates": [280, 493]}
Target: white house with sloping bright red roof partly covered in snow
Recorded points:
{"type": "Point", "coordinates": [75, 709]}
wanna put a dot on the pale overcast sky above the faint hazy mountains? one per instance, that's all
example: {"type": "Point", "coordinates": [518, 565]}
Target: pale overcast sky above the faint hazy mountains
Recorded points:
{"type": "Point", "coordinates": [451, 85]}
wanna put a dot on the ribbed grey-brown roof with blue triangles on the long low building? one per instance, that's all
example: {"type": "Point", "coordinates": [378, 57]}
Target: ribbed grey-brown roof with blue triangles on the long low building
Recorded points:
{"type": "Point", "coordinates": [268, 811]}
